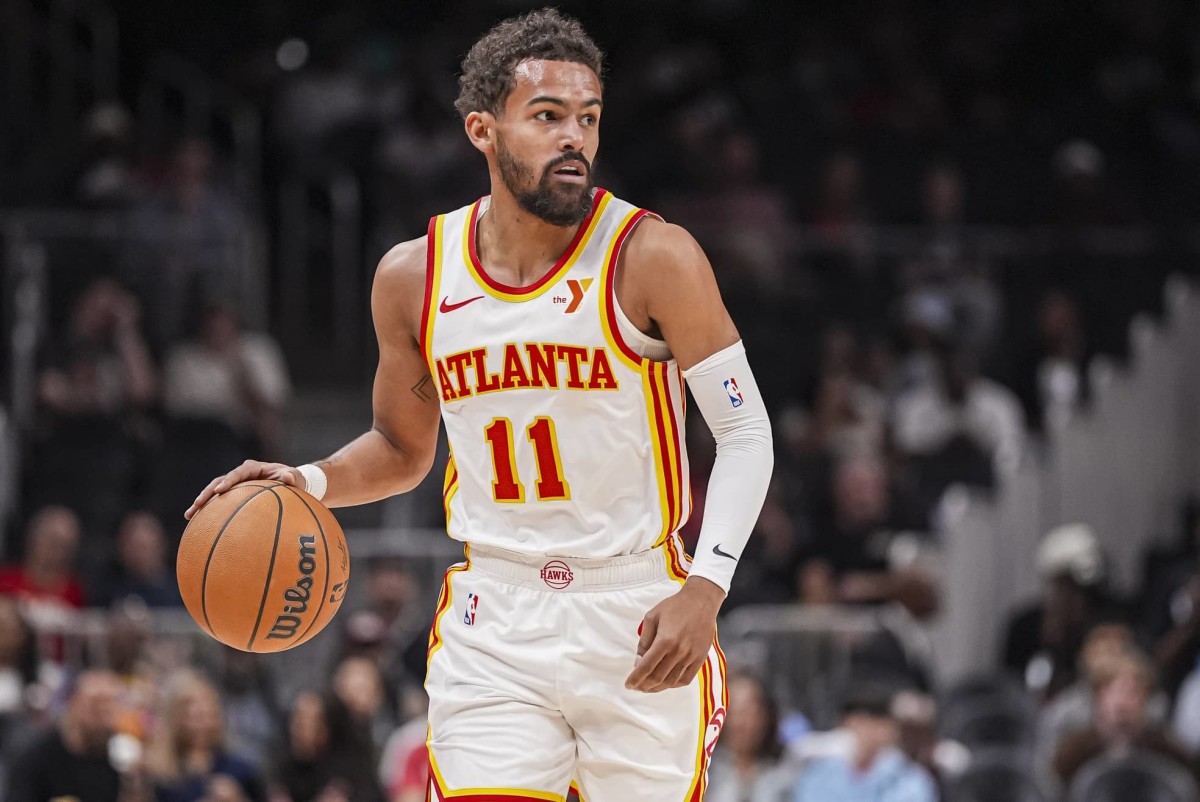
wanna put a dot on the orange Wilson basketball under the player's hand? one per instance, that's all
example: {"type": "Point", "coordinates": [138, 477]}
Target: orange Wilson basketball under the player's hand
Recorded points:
{"type": "Point", "coordinates": [263, 567]}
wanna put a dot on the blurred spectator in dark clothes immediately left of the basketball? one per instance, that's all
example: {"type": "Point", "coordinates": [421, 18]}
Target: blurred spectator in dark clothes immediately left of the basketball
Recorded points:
{"type": "Point", "coordinates": [142, 572]}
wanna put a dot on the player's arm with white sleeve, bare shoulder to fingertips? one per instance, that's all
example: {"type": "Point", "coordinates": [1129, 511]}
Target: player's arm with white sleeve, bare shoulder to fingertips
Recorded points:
{"type": "Point", "coordinates": [669, 289]}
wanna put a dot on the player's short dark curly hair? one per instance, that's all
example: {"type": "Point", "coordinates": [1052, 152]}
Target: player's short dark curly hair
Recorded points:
{"type": "Point", "coordinates": [489, 70]}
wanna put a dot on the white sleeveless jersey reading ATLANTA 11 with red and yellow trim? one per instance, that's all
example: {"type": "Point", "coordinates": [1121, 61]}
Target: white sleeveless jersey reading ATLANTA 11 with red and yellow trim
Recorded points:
{"type": "Point", "coordinates": [563, 440]}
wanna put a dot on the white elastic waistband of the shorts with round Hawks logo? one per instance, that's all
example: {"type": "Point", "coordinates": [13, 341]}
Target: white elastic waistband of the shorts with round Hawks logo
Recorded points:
{"type": "Point", "coordinates": [569, 574]}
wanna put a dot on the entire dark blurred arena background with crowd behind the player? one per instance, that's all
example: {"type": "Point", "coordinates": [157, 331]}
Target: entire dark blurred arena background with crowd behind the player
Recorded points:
{"type": "Point", "coordinates": [961, 242]}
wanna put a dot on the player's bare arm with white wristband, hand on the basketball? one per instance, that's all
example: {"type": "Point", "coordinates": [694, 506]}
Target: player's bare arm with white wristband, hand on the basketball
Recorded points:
{"type": "Point", "coordinates": [398, 452]}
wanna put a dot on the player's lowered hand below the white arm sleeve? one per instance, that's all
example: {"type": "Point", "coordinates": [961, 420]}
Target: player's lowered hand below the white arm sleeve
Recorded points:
{"type": "Point", "coordinates": [677, 635]}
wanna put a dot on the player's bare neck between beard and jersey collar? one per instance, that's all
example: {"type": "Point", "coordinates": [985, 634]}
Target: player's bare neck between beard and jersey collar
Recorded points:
{"type": "Point", "coordinates": [517, 247]}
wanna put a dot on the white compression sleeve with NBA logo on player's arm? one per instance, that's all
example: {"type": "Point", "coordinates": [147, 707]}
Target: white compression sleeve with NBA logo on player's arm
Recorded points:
{"type": "Point", "coordinates": [729, 399]}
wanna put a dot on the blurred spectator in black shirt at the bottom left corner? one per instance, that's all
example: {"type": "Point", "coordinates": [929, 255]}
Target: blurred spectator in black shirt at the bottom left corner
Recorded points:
{"type": "Point", "coordinates": [73, 762]}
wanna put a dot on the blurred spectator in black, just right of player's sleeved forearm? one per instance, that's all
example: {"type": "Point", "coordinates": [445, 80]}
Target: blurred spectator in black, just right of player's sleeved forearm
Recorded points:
{"type": "Point", "coordinates": [859, 556]}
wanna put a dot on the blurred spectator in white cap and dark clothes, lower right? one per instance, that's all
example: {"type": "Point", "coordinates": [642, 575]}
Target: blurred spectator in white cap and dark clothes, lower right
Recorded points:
{"type": "Point", "coordinates": [1042, 644]}
